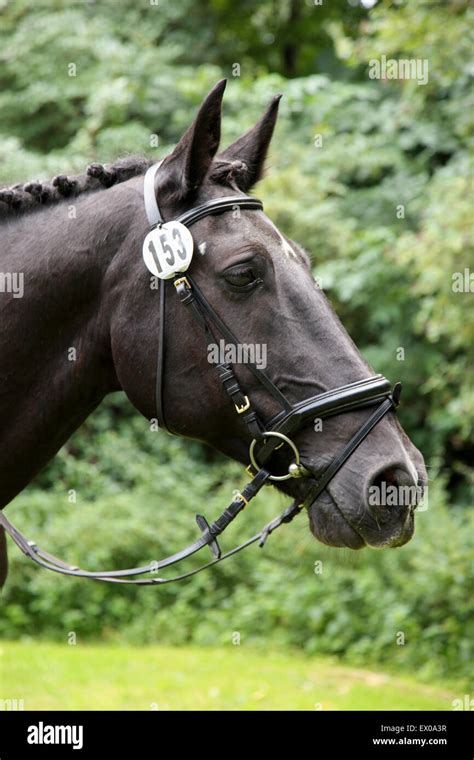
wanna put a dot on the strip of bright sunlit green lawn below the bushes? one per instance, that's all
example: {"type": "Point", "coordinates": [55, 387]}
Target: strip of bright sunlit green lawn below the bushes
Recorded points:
{"type": "Point", "coordinates": [55, 676]}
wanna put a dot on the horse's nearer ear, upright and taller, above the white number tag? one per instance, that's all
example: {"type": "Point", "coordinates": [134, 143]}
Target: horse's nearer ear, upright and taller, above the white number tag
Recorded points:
{"type": "Point", "coordinates": [189, 163]}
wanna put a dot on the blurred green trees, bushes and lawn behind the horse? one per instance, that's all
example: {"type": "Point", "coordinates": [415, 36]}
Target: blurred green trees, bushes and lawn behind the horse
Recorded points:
{"type": "Point", "coordinates": [374, 178]}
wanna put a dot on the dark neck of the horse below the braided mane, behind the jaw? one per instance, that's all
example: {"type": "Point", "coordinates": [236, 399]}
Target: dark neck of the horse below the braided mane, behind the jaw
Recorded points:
{"type": "Point", "coordinates": [55, 359]}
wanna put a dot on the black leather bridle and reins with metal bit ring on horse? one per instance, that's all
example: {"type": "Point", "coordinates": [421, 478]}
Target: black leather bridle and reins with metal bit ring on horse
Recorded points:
{"type": "Point", "coordinates": [374, 391]}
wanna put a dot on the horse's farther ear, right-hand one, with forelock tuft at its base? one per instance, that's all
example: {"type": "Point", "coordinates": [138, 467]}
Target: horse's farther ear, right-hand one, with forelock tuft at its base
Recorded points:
{"type": "Point", "coordinates": [252, 147]}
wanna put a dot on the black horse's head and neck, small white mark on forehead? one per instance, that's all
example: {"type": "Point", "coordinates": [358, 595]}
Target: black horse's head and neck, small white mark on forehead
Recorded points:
{"type": "Point", "coordinates": [87, 324]}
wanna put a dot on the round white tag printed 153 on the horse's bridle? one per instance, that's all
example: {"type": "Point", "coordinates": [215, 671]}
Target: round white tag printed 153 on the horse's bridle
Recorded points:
{"type": "Point", "coordinates": [168, 249]}
